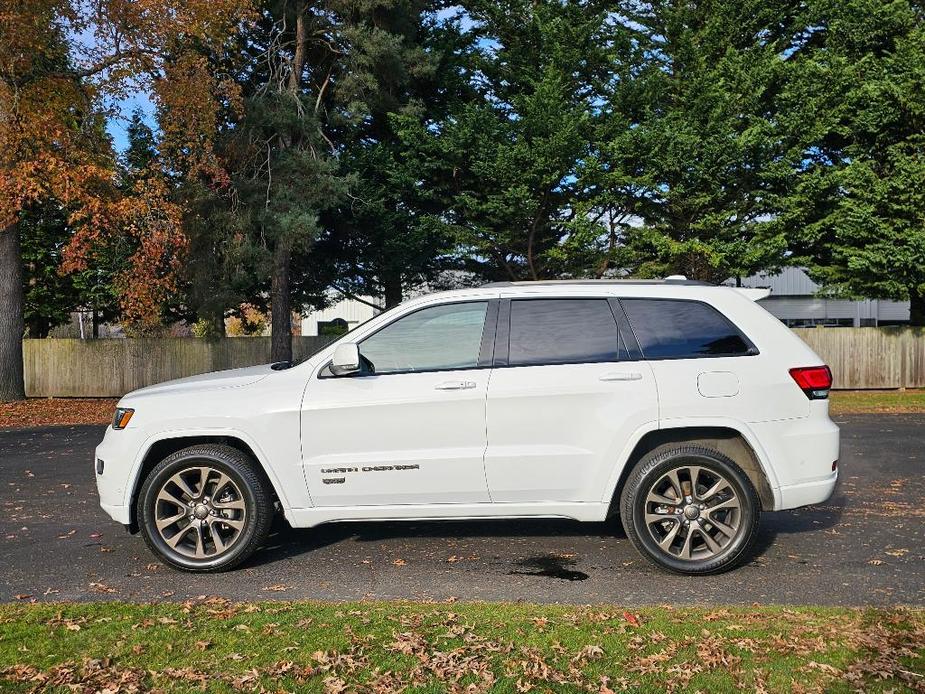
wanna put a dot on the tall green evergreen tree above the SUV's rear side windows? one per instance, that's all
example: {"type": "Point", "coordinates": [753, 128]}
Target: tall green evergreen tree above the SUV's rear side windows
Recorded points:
{"type": "Point", "coordinates": [690, 159]}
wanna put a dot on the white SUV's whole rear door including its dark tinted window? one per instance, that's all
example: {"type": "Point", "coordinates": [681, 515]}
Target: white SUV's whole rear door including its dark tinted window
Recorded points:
{"type": "Point", "coordinates": [564, 398]}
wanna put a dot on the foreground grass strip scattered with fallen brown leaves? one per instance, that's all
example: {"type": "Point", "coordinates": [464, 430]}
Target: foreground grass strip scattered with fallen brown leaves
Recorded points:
{"type": "Point", "coordinates": [214, 645]}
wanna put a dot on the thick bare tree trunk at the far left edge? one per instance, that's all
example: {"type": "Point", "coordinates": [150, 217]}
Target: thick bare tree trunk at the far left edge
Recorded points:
{"type": "Point", "coordinates": [12, 385]}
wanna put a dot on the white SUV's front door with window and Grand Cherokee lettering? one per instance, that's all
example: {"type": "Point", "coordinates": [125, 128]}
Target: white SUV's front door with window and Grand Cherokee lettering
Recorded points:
{"type": "Point", "coordinates": [409, 429]}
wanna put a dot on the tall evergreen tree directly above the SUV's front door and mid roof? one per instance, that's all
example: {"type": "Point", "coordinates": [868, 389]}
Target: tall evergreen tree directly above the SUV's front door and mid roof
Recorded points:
{"type": "Point", "coordinates": [503, 163]}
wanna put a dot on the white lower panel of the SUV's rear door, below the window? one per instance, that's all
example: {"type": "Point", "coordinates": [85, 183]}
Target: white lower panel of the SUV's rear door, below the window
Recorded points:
{"type": "Point", "coordinates": [553, 430]}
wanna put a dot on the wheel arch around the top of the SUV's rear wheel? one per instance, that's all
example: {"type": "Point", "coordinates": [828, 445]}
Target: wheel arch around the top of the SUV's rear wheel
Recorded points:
{"type": "Point", "coordinates": [728, 440]}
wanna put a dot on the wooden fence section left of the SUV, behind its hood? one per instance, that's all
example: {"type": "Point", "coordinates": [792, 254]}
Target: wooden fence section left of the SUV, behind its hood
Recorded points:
{"type": "Point", "coordinates": [113, 367]}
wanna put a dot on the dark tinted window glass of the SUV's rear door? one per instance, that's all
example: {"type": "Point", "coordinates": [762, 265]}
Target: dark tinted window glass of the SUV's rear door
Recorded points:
{"type": "Point", "coordinates": [562, 331]}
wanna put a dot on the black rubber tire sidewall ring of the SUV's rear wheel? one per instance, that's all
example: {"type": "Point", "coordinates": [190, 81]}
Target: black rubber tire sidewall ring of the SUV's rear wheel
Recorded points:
{"type": "Point", "coordinates": [651, 470]}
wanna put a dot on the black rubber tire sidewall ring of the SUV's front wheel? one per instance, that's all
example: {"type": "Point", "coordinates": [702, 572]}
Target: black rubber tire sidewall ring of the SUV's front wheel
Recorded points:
{"type": "Point", "coordinates": [146, 501]}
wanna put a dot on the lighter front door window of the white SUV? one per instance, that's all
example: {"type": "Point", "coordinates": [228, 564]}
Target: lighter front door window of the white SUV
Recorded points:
{"type": "Point", "coordinates": [436, 338]}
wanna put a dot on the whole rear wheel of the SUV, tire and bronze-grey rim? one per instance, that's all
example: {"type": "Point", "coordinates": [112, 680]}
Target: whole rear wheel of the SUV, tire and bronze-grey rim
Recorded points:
{"type": "Point", "coordinates": [689, 540]}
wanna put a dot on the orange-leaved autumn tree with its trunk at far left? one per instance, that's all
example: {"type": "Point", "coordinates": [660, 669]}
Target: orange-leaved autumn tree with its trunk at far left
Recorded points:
{"type": "Point", "coordinates": [60, 61]}
